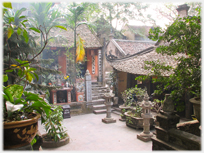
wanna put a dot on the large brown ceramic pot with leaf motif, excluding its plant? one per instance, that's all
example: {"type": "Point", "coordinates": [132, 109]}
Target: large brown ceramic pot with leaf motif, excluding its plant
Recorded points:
{"type": "Point", "coordinates": [20, 133]}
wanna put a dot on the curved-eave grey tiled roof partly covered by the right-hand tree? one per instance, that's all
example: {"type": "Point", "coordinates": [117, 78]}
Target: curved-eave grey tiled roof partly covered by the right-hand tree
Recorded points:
{"type": "Point", "coordinates": [134, 64]}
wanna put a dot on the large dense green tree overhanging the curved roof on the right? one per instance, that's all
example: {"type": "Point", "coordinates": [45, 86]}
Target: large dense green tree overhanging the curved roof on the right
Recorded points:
{"type": "Point", "coordinates": [182, 39]}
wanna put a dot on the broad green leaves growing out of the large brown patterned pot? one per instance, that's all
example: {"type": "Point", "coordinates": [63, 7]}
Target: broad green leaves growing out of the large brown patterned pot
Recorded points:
{"type": "Point", "coordinates": [30, 101]}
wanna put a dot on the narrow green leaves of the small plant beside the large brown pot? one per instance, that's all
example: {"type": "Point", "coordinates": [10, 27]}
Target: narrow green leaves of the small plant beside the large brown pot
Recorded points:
{"type": "Point", "coordinates": [53, 124]}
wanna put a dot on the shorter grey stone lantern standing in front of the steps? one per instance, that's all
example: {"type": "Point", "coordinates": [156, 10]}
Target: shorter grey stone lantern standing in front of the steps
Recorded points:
{"type": "Point", "coordinates": [108, 103]}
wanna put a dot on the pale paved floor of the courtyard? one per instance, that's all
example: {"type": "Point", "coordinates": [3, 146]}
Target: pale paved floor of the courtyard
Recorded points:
{"type": "Point", "coordinates": [88, 133]}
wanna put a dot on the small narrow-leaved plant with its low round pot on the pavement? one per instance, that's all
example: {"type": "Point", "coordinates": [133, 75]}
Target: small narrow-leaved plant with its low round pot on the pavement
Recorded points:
{"type": "Point", "coordinates": [56, 136]}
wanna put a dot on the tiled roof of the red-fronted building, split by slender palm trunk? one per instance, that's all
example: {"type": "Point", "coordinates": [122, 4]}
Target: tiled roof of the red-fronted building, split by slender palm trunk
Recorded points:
{"type": "Point", "coordinates": [90, 38]}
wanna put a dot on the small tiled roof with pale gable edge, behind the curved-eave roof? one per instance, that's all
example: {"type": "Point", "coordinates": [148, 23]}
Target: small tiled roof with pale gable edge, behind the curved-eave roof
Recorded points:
{"type": "Point", "coordinates": [131, 46]}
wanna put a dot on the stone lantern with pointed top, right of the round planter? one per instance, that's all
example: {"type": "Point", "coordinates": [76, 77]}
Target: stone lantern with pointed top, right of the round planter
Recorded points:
{"type": "Point", "coordinates": [146, 115]}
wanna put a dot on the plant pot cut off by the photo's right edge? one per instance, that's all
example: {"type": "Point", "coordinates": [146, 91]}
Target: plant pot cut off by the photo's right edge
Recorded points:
{"type": "Point", "coordinates": [196, 108]}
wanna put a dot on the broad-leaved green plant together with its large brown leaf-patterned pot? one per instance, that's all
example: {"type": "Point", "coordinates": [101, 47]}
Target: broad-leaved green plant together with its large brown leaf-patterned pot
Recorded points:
{"type": "Point", "coordinates": [21, 113]}
